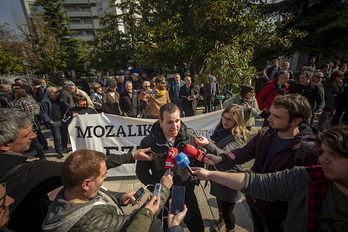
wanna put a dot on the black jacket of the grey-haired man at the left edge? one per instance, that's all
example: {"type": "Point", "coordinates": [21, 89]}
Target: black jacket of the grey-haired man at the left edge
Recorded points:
{"type": "Point", "coordinates": [28, 183]}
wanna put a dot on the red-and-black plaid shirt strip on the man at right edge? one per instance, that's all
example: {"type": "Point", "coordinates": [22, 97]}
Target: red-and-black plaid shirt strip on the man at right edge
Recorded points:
{"type": "Point", "coordinates": [316, 190]}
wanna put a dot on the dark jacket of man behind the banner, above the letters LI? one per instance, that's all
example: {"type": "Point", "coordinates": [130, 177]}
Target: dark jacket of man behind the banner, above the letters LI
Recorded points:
{"type": "Point", "coordinates": [128, 105]}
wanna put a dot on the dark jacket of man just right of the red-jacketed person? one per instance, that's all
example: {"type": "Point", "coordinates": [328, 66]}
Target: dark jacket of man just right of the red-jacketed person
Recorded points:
{"type": "Point", "coordinates": [313, 93]}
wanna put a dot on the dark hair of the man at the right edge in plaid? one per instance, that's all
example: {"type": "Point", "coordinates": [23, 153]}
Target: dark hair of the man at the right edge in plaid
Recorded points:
{"type": "Point", "coordinates": [336, 139]}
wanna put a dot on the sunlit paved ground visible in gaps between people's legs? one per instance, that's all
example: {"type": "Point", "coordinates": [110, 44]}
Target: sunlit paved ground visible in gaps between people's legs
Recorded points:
{"type": "Point", "coordinates": [207, 202]}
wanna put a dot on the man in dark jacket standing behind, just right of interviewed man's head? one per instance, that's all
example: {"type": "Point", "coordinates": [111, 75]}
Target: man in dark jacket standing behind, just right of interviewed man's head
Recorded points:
{"type": "Point", "coordinates": [188, 94]}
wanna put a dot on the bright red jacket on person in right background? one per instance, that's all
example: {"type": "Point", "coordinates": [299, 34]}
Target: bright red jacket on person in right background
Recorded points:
{"type": "Point", "coordinates": [266, 96]}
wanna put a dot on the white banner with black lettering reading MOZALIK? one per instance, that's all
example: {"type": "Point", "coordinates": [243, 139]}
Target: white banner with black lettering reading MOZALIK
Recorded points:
{"type": "Point", "coordinates": [112, 134]}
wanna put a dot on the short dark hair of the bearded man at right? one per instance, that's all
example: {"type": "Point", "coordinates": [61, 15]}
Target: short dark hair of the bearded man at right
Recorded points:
{"type": "Point", "coordinates": [296, 104]}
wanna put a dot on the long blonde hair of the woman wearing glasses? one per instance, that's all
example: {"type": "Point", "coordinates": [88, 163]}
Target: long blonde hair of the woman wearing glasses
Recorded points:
{"type": "Point", "coordinates": [239, 132]}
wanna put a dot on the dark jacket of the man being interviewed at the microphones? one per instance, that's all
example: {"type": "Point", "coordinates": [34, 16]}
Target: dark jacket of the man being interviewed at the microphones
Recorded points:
{"type": "Point", "coordinates": [156, 140]}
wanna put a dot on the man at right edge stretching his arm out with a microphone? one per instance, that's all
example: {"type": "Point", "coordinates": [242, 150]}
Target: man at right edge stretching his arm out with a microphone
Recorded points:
{"type": "Point", "coordinates": [317, 194]}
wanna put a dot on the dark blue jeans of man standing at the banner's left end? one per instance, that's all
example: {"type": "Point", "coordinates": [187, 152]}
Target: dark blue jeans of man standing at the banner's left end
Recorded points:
{"type": "Point", "coordinates": [60, 136]}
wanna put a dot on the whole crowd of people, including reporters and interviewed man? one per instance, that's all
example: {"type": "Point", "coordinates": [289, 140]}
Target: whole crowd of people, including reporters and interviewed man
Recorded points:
{"type": "Point", "coordinates": [278, 192]}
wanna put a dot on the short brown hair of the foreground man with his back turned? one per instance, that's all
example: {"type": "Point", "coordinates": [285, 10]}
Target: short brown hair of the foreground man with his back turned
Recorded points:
{"type": "Point", "coordinates": [81, 165]}
